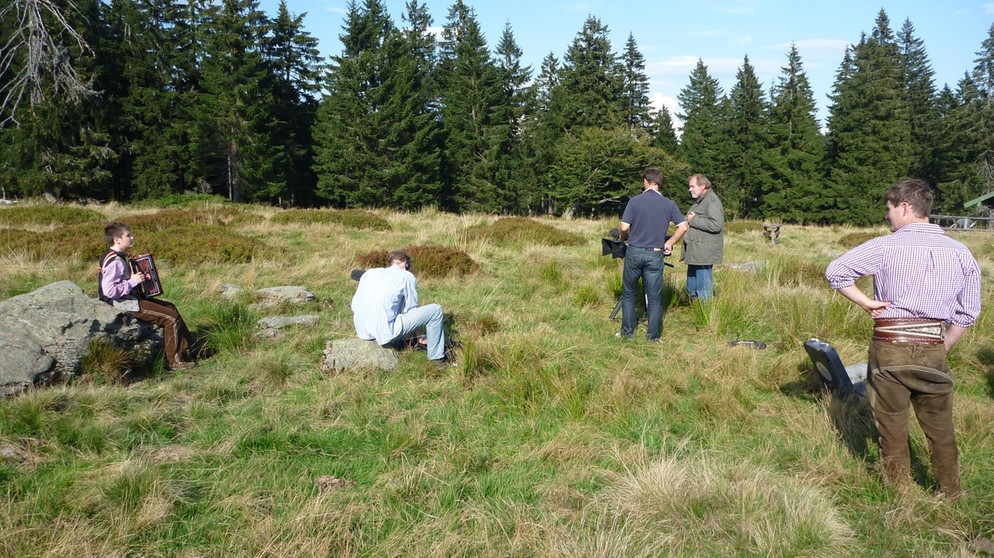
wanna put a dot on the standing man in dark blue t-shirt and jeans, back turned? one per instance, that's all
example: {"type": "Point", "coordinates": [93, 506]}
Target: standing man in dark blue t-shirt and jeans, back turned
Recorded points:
{"type": "Point", "coordinates": [644, 223]}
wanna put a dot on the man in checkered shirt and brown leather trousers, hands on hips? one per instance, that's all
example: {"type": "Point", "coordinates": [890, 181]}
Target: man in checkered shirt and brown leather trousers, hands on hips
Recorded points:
{"type": "Point", "coordinates": [926, 289]}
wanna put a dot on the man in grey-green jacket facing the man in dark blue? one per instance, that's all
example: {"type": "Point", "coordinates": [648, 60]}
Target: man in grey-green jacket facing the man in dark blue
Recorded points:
{"type": "Point", "coordinates": [704, 243]}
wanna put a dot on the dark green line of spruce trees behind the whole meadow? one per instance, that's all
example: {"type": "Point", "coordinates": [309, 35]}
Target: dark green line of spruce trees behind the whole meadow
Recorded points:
{"type": "Point", "coordinates": [174, 96]}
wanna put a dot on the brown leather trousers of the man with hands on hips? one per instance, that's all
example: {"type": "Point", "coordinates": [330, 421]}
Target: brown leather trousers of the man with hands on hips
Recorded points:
{"type": "Point", "coordinates": [905, 375]}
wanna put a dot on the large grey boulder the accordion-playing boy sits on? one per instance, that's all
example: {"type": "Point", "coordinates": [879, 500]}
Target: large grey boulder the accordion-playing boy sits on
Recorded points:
{"type": "Point", "coordinates": [47, 332]}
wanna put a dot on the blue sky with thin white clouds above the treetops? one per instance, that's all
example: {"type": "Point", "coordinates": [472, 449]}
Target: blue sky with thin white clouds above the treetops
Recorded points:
{"type": "Point", "coordinates": [672, 36]}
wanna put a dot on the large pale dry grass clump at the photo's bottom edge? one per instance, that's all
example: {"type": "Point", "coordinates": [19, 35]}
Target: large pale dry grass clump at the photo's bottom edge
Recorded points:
{"type": "Point", "coordinates": [704, 507]}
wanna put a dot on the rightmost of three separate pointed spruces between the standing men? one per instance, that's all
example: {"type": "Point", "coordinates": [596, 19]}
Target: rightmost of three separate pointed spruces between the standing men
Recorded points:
{"type": "Point", "coordinates": [793, 192]}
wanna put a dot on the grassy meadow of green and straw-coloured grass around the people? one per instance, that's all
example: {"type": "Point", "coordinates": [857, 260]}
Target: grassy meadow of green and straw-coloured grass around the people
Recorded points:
{"type": "Point", "coordinates": [551, 437]}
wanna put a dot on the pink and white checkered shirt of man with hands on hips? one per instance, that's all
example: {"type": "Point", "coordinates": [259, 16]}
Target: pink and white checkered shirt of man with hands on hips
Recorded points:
{"type": "Point", "coordinates": [920, 270]}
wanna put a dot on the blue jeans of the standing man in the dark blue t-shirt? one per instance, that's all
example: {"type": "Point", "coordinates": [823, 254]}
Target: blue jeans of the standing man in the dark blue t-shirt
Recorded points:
{"type": "Point", "coordinates": [647, 264]}
